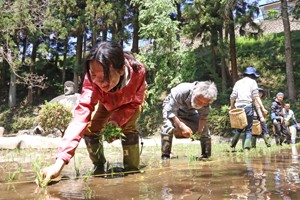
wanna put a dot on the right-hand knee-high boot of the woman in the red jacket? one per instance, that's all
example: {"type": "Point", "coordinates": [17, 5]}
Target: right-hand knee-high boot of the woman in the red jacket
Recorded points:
{"type": "Point", "coordinates": [131, 152]}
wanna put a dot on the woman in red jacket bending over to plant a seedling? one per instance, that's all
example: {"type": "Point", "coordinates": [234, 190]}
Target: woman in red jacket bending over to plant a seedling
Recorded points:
{"type": "Point", "coordinates": [114, 86]}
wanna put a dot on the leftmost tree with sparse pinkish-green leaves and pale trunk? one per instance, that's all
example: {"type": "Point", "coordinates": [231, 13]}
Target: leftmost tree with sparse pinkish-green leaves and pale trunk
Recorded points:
{"type": "Point", "coordinates": [18, 20]}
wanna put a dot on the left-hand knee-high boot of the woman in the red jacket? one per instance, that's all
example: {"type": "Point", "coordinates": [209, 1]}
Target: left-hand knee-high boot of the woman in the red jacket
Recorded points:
{"type": "Point", "coordinates": [96, 153]}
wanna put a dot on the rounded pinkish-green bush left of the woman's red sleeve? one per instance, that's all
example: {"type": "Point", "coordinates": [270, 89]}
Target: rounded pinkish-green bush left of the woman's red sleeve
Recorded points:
{"type": "Point", "coordinates": [54, 115]}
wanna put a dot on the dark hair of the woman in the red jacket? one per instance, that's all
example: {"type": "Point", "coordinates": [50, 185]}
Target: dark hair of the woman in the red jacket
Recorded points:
{"type": "Point", "coordinates": [110, 53]}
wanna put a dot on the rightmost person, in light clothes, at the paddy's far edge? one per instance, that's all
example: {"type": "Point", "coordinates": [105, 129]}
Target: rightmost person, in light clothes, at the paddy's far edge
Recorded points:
{"type": "Point", "coordinates": [290, 121]}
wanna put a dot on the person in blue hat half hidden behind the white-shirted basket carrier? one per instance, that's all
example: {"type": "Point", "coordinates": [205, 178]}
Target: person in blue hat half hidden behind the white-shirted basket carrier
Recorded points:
{"type": "Point", "coordinates": [258, 115]}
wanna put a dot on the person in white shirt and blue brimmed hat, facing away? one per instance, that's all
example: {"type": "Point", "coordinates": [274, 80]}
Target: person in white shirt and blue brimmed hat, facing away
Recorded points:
{"type": "Point", "coordinates": [244, 92]}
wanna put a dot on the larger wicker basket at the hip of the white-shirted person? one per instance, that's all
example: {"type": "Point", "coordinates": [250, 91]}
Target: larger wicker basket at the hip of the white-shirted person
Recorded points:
{"type": "Point", "coordinates": [238, 118]}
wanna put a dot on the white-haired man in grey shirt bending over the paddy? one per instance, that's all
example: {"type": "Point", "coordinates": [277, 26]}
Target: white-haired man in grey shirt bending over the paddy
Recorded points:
{"type": "Point", "coordinates": [185, 112]}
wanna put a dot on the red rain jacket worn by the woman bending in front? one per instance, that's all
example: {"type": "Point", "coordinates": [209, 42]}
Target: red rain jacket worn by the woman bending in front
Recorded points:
{"type": "Point", "coordinates": [124, 102]}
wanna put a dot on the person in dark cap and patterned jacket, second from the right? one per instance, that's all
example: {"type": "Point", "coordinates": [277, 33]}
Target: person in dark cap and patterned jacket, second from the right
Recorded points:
{"type": "Point", "coordinates": [281, 131]}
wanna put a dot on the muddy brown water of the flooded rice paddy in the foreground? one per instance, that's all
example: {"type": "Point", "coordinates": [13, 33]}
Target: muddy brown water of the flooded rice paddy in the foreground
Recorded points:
{"type": "Point", "coordinates": [236, 176]}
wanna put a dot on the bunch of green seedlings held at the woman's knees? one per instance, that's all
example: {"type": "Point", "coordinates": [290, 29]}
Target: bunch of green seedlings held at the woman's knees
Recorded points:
{"type": "Point", "coordinates": [111, 132]}
